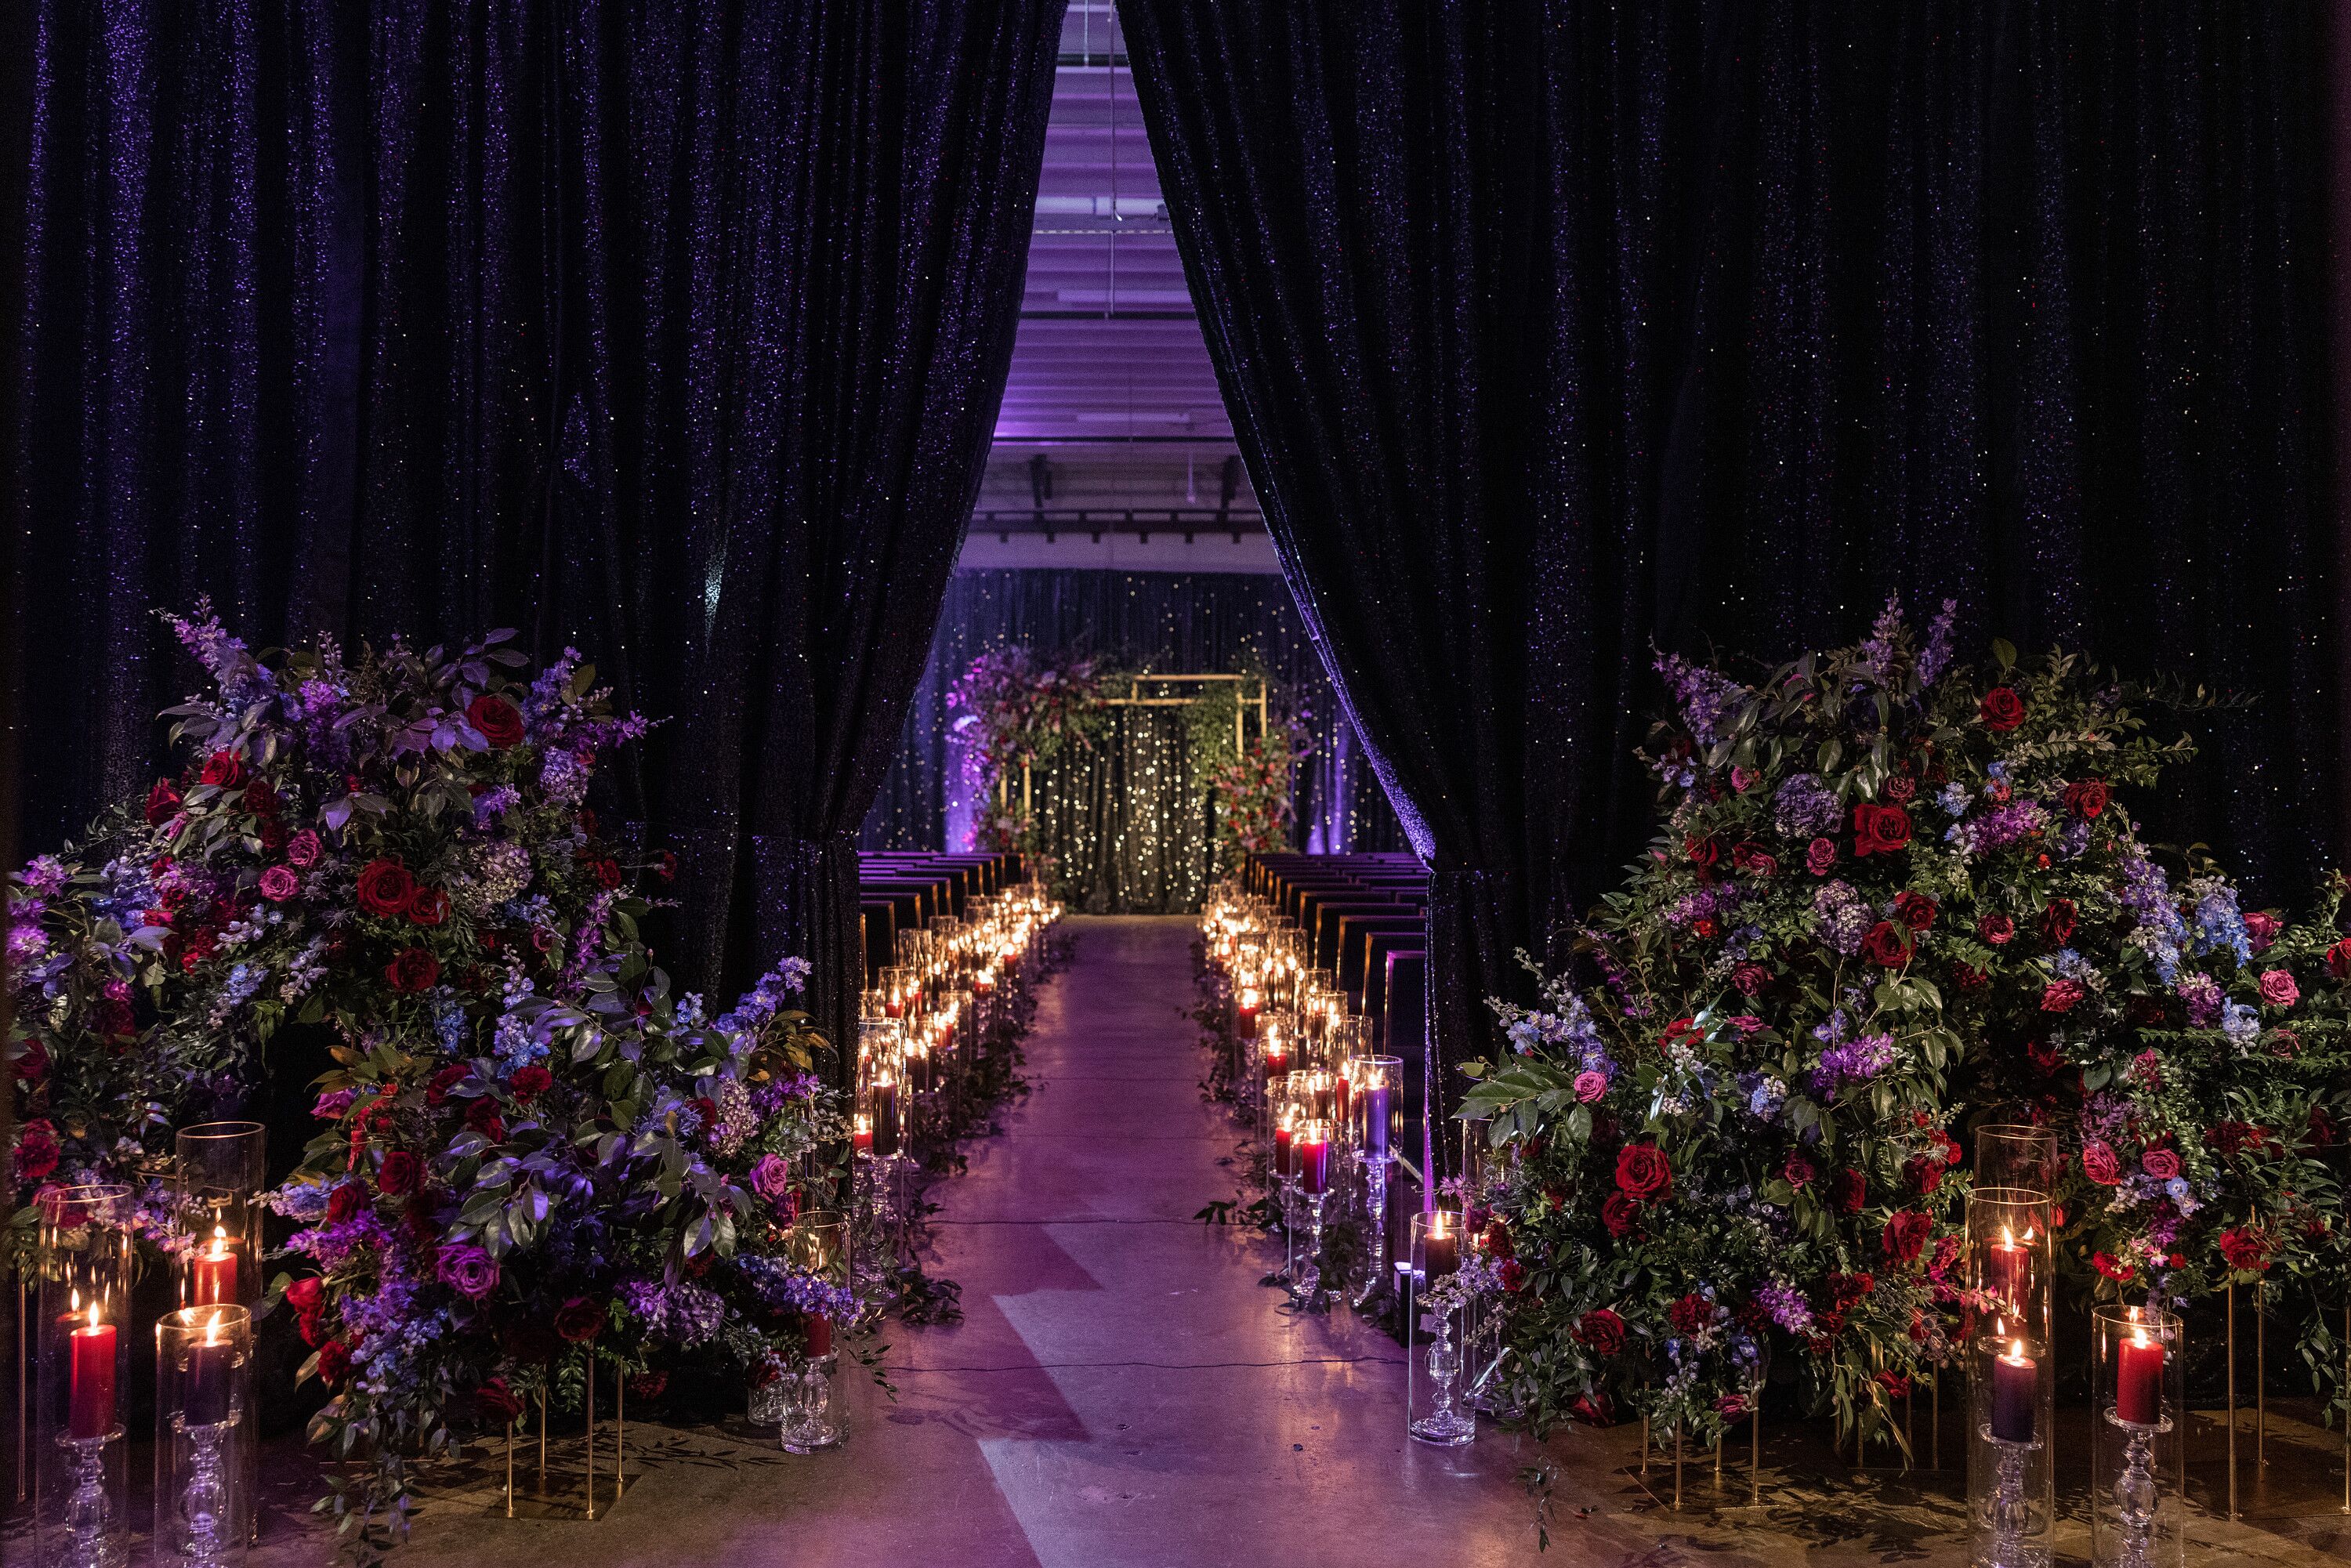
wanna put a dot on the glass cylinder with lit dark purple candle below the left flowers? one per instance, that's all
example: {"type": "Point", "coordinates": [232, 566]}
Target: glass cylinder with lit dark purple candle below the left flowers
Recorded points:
{"type": "Point", "coordinates": [203, 1435]}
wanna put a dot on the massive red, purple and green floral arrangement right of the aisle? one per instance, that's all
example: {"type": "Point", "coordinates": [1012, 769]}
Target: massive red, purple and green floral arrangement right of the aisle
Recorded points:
{"type": "Point", "coordinates": [1891, 899]}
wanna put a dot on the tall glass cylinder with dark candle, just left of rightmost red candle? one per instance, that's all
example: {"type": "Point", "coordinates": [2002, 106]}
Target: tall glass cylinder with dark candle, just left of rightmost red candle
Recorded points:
{"type": "Point", "coordinates": [2011, 1381]}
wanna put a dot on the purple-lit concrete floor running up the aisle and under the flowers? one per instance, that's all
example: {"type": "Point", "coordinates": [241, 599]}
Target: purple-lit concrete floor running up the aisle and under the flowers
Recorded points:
{"type": "Point", "coordinates": [1125, 1395]}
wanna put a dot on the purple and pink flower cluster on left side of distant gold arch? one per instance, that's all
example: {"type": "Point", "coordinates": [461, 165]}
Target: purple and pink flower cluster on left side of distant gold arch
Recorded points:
{"type": "Point", "coordinates": [1012, 716]}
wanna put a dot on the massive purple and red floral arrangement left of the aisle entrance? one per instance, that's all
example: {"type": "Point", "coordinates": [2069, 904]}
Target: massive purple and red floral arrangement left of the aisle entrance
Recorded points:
{"type": "Point", "coordinates": [533, 1153]}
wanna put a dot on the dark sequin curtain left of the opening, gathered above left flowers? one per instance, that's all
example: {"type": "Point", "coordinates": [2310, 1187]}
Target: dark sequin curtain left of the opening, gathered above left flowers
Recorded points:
{"type": "Point", "coordinates": [669, 333]}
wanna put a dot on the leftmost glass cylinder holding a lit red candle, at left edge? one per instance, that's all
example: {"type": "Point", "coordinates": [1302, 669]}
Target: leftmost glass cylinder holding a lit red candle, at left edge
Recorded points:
{"type": "Point", "coordinates": [81, 1362]}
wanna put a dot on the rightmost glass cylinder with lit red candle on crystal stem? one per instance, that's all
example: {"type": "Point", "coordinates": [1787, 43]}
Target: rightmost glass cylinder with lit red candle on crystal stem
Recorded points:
{"type": "Point", "coordinates": [2138, 1428]}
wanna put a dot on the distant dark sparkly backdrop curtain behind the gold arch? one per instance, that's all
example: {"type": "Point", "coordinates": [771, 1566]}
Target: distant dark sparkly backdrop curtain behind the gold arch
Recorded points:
{"type": "Point", "coordinates": [1170, 622]}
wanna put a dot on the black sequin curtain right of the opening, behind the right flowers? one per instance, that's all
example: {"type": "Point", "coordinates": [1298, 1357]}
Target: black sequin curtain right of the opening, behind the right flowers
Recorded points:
{"type": "Point", "coordinates": [1562, 328]}
